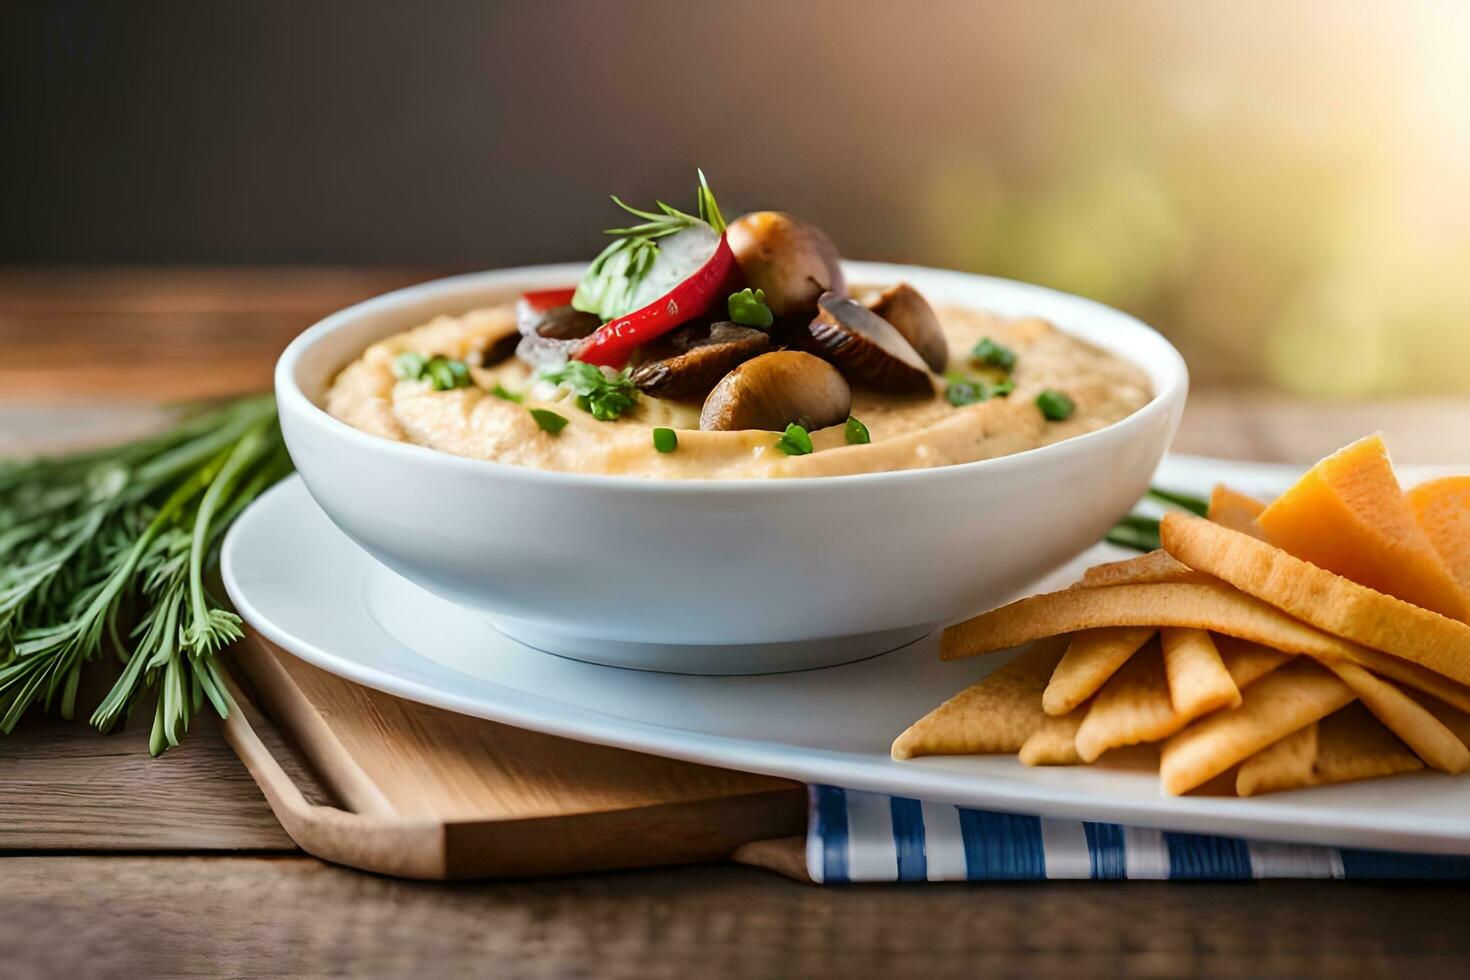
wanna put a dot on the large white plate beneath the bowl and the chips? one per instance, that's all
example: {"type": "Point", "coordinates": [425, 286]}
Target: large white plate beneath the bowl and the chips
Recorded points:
{"type": "Point", "coordinates": [308, 588]}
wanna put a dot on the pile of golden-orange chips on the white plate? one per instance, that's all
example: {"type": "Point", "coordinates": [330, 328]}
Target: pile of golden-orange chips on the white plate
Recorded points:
{"type": "Point", "coordinates": [1250, 652]}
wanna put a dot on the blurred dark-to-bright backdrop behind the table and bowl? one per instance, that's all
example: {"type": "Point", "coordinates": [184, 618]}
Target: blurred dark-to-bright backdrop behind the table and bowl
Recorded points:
{"type": "Point", "coordinates": [1281, 186]}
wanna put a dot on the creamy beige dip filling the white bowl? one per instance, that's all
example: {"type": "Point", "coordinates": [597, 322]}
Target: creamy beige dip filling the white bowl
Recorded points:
{"type": "Point", "coordinates": [908, 433]}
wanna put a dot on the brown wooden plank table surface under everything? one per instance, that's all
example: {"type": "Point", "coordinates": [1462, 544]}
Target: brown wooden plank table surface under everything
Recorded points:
{"type": "Point", "coordinates": [115, 865]}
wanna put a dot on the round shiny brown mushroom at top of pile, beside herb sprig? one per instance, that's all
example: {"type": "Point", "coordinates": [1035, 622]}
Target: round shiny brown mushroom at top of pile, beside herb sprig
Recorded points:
{"type": "Point", "coordinates": [792, 261]}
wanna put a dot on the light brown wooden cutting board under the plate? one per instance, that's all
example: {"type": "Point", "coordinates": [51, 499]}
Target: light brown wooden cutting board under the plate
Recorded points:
{"type": "Point", "coordinates": [374, 782]}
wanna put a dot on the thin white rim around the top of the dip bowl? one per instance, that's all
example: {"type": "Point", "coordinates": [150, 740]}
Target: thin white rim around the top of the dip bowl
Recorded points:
{"type": "Point", "coordinates": [292, 399]}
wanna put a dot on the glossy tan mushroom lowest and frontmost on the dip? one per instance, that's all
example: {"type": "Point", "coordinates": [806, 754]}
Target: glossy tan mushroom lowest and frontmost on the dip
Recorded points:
{"type": "Point", "coordinates": [777, 390]}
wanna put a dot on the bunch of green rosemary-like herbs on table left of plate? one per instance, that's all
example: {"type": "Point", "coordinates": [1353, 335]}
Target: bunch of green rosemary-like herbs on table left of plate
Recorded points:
{"type": "Point", "coordinates": [124, 536]}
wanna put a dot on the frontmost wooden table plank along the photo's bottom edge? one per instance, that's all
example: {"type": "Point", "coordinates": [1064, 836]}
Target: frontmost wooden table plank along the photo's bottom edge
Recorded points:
{"type": "Point", "coordinates": [187, 918]}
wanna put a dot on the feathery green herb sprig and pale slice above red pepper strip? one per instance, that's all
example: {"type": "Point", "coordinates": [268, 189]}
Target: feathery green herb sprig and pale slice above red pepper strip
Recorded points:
{"type": "Point", "coordinates": [612, 281]}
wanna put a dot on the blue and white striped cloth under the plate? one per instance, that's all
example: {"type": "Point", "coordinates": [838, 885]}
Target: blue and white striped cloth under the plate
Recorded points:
{"type": "Point", "coordinates": [856, 837]}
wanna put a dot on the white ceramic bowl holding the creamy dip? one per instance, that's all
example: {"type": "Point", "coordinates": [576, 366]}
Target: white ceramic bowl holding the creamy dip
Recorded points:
{"type": "Point", "coordinates": [721, 577]}
